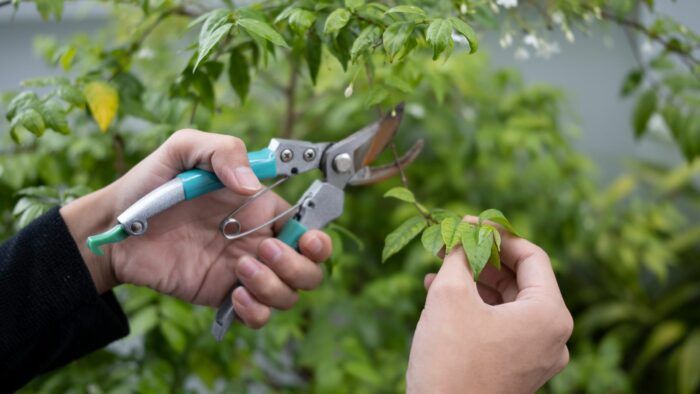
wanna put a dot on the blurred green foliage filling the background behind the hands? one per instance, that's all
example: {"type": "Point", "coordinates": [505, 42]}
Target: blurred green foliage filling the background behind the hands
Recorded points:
{"type": "Point", "coordinates": [625, 254]}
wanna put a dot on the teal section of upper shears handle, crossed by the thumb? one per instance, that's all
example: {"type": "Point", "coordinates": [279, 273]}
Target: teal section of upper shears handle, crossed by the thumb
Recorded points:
{"type": "Point", "coordinates": [198, 182]}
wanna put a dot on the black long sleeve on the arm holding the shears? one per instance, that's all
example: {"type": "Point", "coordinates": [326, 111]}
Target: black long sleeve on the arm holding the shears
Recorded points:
{"type": "Point", "coordinates": [50, 311]}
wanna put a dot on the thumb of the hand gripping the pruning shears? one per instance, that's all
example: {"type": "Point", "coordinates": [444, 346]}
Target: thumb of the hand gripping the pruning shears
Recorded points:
{"type": "Point", "coordinates": [225, 155]}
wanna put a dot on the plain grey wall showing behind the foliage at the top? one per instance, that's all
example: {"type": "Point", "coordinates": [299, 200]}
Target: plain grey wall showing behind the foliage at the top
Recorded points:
{"type": "Point", "coordinates": [589, 72]}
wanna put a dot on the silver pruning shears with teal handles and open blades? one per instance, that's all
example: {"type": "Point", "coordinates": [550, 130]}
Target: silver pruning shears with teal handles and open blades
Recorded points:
{"type": "Point", "coordinates": [342, 163]}
